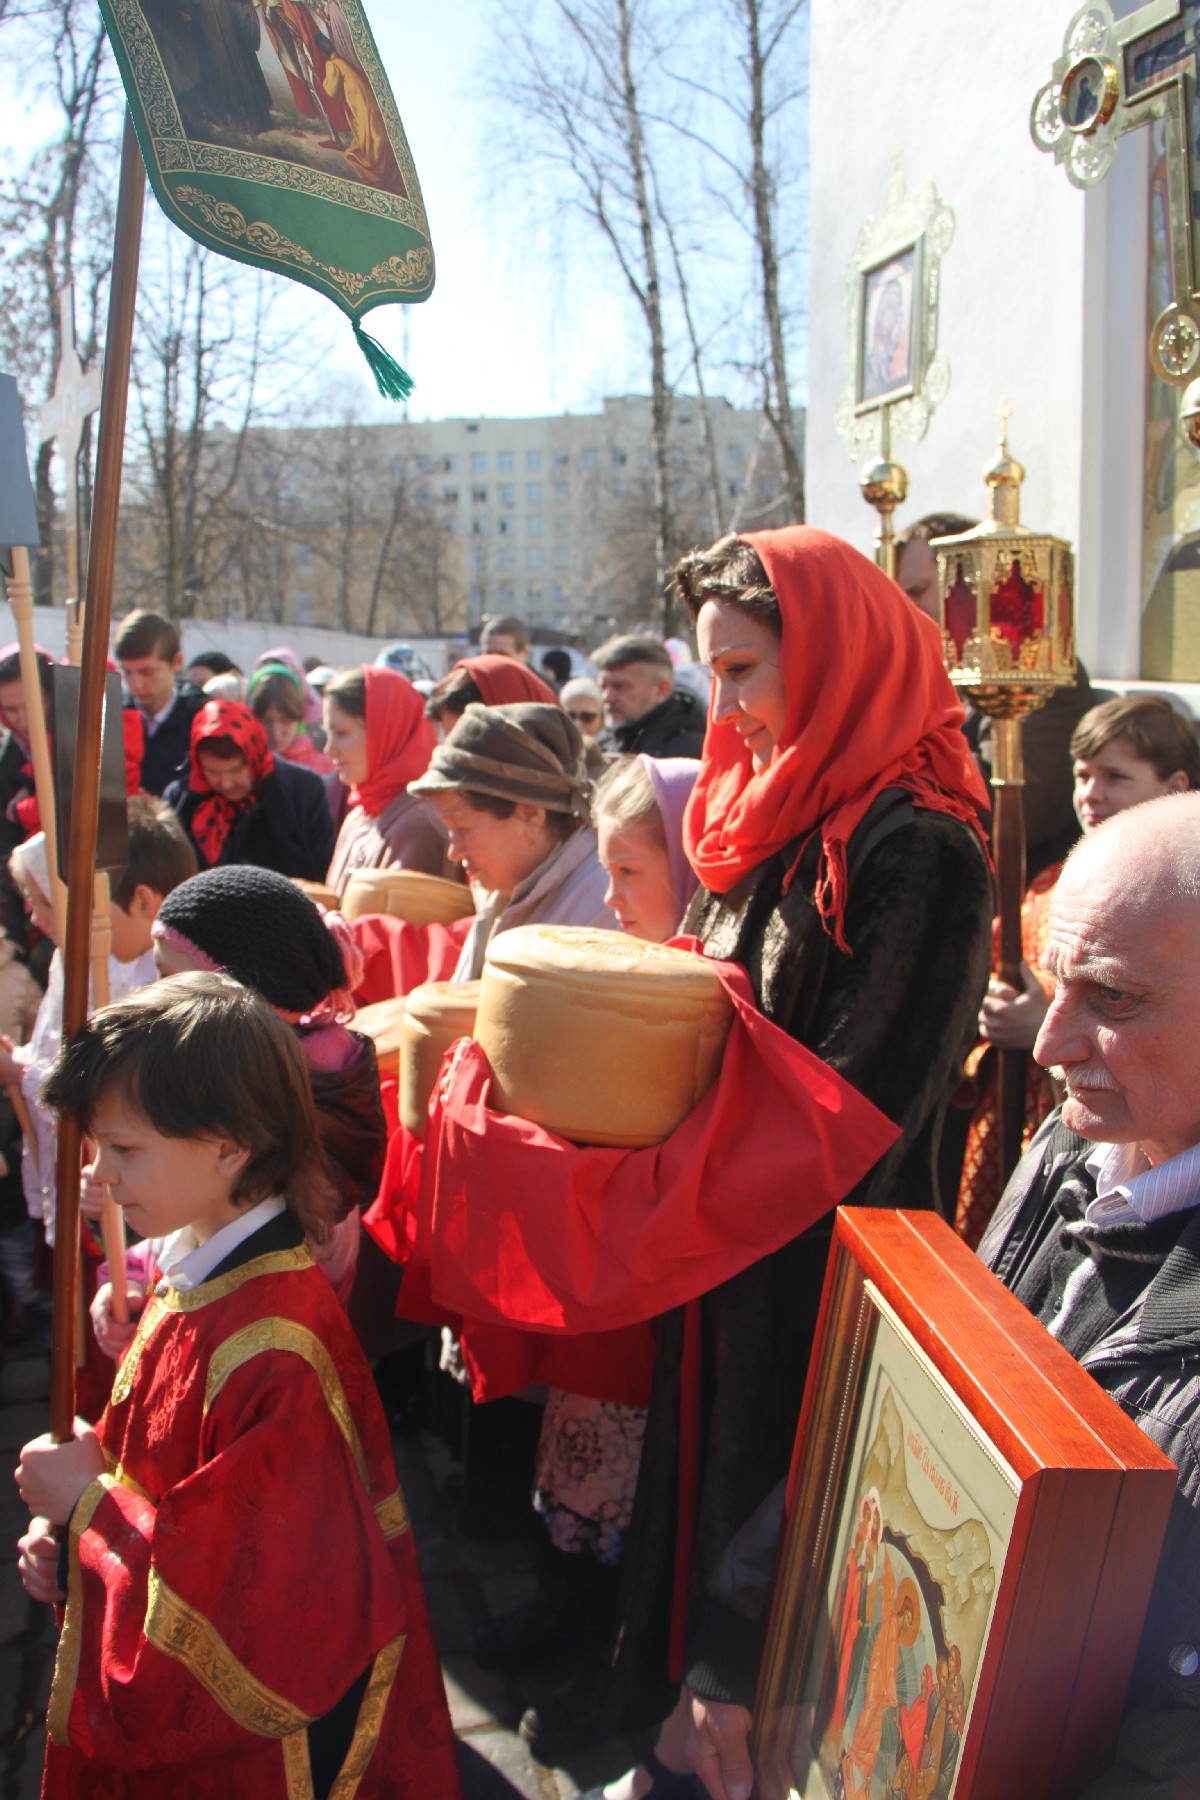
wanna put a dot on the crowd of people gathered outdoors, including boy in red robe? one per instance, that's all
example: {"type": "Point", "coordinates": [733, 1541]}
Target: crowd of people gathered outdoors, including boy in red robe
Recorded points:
{"type": "Point", "coordinates": [807, 805]}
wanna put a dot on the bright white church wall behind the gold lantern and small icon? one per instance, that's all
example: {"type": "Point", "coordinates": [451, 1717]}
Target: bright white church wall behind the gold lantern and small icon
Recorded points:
{"type": "Point", "coordinates": [1043, 292]}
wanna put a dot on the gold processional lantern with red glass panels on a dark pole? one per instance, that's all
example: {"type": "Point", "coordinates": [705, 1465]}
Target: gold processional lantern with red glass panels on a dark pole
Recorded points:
{"type": "Point", "coordinates": [1007, 606]}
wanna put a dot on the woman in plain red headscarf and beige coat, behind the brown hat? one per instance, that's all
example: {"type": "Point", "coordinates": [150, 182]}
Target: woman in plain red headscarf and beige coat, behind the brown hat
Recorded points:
{"type": "Point", "coordinates": [381, 741]}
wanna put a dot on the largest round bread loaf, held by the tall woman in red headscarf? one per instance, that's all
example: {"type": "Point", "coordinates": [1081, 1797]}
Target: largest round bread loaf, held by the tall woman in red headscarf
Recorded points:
{"type": "Point", "coordinates": [600, 1038]}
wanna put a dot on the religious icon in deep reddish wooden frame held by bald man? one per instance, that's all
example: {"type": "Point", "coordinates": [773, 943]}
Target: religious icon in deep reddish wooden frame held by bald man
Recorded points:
{"type": "Point", "coordinates": [972, 1534]}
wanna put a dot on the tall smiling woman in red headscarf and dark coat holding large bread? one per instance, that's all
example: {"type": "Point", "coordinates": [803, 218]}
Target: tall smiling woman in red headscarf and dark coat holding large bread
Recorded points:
{"type": "Point", "coordinates": [834, 829]}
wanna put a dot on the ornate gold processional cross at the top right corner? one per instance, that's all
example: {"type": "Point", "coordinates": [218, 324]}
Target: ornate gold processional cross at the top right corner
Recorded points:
{"type": "Point", "coordinates": [1115, 76]}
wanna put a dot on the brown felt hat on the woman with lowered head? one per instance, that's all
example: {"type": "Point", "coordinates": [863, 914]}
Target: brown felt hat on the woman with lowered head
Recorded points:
{"type": "Point", "coordinates": [521, 753]}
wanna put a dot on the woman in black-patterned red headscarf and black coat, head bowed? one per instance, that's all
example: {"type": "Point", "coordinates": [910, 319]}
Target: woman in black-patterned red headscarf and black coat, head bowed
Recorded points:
{"type": "Point", "coordinates": [244, 805]}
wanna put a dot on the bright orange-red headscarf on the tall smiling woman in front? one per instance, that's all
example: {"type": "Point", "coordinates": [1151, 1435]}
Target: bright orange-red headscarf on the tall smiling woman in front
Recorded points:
{"type": "Point", "coordinates": [868, 706]}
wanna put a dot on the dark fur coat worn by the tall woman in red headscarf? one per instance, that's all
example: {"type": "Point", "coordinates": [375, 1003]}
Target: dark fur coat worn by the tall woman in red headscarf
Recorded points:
{"type": "Point", "coordinates": [895, 1018]}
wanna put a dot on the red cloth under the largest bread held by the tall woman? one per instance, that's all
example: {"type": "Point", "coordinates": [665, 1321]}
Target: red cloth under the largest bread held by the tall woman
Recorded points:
{"type": "Point", "coordinates": [505, 1225]}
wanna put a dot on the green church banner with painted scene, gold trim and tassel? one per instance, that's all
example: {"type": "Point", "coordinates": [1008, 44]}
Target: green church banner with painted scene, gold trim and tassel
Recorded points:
{"type": "Point", "coordinates": [271, 134]}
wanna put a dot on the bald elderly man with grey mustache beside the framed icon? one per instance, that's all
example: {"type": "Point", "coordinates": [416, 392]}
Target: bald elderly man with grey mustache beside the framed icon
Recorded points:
{"type": "Point", "coordinates": [1098, 1232]}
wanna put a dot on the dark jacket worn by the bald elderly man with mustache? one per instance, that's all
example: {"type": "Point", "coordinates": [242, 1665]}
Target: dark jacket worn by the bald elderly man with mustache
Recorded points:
{"type": "Point", "coordinates": [1149, 1360]}
